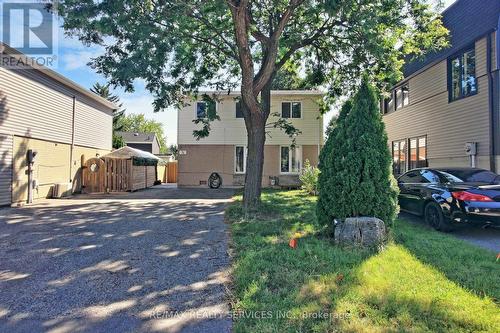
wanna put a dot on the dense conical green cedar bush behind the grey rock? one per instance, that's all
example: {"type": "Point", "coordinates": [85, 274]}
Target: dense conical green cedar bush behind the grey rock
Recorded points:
{"type": "Point", "coordinates": [355, 164]}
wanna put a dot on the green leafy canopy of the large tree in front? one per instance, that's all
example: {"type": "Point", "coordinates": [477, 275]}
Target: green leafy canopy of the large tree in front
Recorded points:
{"type": "Point", "coordinates": [179, 46]}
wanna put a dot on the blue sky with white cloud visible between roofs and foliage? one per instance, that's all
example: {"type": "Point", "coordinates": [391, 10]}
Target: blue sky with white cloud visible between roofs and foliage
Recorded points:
{"type": "Point", "coordinates": [72, 60]}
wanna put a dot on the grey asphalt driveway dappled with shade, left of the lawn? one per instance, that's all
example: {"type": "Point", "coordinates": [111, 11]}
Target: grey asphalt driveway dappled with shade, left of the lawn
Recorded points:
{"type": "Point", "coordinates": [154, 260]}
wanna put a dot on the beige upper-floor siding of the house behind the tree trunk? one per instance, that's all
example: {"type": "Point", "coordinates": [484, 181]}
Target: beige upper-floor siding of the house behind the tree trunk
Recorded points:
{"type": "Point", "coordinates": [232, 130]}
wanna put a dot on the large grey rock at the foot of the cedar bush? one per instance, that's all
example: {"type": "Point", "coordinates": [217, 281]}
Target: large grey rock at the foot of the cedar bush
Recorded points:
{"type": "Point", "coordinates": [360, 231]}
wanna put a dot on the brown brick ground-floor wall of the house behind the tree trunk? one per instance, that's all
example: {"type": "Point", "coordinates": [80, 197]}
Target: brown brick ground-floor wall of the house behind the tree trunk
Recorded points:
{"type": "Point", "coordinates": [201, 160]}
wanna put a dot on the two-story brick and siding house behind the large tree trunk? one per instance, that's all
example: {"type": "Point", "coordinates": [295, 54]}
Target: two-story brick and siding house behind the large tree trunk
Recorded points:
{"type": "Point", "coordinates": [224, 150]}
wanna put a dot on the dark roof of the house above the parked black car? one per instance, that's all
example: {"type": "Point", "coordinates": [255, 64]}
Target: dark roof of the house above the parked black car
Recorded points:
{"type": "Point", "coordinates": [467, 20]}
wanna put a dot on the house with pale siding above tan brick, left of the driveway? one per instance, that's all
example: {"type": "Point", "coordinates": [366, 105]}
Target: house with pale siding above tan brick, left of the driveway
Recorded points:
{"type": "Point", "coordinates": [45, 112]}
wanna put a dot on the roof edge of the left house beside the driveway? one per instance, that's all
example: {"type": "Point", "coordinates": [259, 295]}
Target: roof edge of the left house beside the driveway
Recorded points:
{"type": "Point", "coordinates": [10, 51]}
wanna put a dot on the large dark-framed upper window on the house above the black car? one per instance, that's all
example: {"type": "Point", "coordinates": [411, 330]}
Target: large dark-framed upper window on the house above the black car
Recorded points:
{"type": "Point", "coordinates": [462, 75]}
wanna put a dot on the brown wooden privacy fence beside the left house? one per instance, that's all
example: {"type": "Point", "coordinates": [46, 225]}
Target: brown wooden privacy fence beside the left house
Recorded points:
{"type": "Point", "coordinates": [116, 175]}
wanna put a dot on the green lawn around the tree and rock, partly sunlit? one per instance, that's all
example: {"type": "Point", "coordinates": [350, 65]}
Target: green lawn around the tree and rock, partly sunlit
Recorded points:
{"type": "Point", "coordinates": [422, 281]}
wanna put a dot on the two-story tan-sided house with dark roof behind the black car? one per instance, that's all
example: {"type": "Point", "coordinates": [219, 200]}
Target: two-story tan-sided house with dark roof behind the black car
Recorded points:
{"type": "Point", "coordinates": [446, 110]}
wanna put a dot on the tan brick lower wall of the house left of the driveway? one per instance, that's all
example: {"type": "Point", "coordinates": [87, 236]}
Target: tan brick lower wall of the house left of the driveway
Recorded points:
{"type": "Point", "coordinates": [52, 165]}
